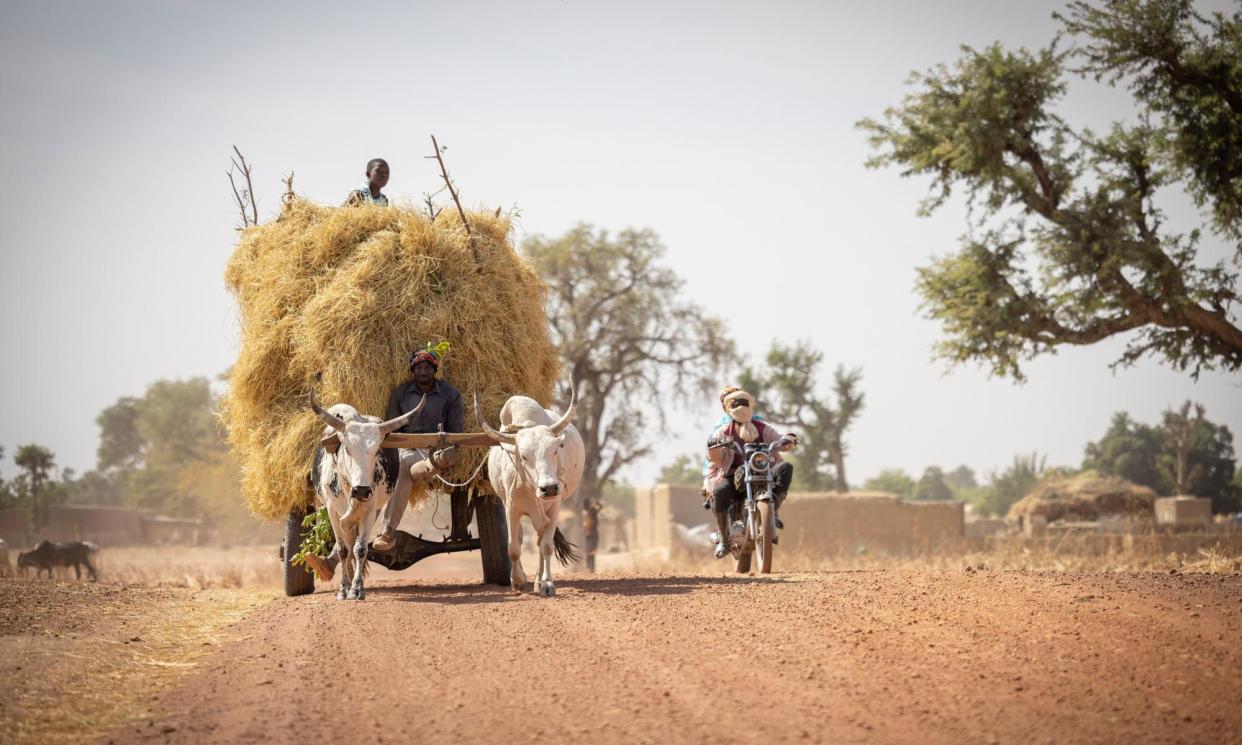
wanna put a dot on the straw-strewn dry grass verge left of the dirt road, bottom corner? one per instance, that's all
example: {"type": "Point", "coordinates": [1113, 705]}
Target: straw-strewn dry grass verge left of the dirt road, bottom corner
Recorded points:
{"type": "Point", "coordinates": [86, 660]}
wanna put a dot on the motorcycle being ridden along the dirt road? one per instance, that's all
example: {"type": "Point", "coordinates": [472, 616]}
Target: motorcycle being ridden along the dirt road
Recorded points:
{"type": "Point", "coordinates": [753, 521]}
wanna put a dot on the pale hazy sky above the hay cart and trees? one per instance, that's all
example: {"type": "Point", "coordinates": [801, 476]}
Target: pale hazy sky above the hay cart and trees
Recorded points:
{"type": "Point", "coordinates": [726, 127]}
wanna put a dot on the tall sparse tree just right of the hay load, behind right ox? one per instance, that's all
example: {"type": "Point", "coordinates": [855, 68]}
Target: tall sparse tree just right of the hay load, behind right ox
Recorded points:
{"type": "Point", "coordinates": [630, 343]}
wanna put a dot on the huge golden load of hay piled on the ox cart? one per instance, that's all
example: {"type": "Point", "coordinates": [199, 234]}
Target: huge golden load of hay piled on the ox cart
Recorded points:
{"type": "Point", "coordinates": [338, 299]}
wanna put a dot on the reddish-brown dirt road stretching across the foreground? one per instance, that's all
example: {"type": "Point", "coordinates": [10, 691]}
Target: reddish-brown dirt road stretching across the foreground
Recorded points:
{"type": "Point", "coordinates": [829, 657]}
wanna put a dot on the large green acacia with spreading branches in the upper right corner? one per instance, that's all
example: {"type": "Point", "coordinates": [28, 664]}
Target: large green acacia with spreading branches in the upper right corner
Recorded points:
{"type": "Point", "coordinates": [1069, 245]}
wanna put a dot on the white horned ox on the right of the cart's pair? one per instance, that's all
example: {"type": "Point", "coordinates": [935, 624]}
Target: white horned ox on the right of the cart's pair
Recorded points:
{"type": "Point", "coordinates": [533, 469]}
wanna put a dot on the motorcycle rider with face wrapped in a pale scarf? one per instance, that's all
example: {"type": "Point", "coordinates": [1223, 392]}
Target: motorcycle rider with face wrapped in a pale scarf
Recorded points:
{"type": "Point", "coordinates": [723, 479]}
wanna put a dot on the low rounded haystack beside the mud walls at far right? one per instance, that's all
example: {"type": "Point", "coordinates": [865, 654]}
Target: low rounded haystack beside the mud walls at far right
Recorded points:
{"type": "Point", "coordinates": [1087, 496]}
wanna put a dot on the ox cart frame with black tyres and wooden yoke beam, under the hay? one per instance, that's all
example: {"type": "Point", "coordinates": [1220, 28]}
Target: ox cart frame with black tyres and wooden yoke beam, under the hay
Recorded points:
{"type": "Point", "coordinates": [469, 502]}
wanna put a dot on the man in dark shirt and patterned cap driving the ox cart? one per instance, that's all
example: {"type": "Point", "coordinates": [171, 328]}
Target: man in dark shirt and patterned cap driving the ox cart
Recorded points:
{"type": "Point", "coordinates": [444, 412]}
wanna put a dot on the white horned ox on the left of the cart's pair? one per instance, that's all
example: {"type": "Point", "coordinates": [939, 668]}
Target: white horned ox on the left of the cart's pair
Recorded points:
{"type": "Point", "coordinates": [355, 477]}
